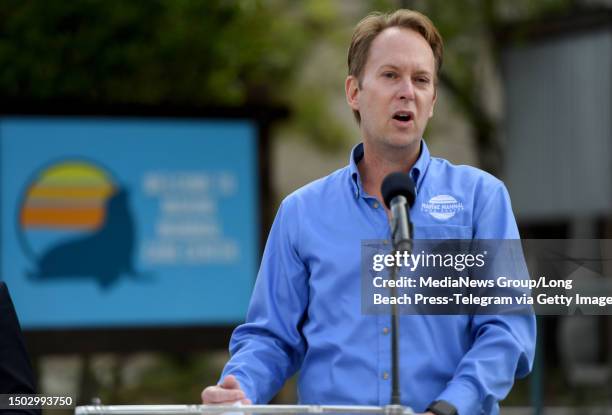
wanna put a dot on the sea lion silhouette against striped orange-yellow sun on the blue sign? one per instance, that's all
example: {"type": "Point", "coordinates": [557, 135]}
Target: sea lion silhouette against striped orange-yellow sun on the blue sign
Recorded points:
{"type": "Point", "coordinates": [75, 222]}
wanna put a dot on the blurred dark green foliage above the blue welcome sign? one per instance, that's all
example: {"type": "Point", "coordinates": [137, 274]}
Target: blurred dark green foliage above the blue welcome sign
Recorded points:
{"type": "Point", "coordinates": [187, 52]}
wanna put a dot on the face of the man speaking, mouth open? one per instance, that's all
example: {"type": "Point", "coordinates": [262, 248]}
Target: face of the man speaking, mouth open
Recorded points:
{"type": "Point", "coordinates": [397, 93]}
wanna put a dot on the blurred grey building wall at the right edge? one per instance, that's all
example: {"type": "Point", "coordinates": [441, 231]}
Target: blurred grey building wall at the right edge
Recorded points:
{"type": "Point", "coordinates": [558, 126]}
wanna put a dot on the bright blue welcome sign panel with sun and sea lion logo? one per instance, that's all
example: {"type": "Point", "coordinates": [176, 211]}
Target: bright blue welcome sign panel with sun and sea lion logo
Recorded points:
{"type": "Point", "coordinates": [139, 222]}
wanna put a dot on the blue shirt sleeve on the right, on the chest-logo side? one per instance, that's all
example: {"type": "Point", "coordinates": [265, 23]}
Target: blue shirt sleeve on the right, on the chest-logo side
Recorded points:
{"type": "Point", "coordinates": [503, 345]}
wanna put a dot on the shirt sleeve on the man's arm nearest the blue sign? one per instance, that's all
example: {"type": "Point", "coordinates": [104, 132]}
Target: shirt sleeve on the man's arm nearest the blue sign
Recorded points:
{"type": "Point", "coordinates": [269, 347]}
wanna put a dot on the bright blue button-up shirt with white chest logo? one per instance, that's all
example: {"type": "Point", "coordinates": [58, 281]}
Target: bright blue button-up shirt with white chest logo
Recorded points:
{"type": "Point", "coordinates": [305, 312]}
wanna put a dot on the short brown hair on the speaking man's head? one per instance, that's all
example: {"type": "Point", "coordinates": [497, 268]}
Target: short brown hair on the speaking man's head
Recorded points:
{"type": "Point", "coordinates": [374, 23]}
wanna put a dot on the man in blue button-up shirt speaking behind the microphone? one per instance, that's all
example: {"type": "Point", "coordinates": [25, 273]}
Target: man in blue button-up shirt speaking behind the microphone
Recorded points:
{"type": "Point", "coordinates": [305, 312]}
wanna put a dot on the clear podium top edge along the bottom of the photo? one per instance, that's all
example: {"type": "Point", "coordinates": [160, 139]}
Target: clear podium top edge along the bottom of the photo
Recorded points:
{"type": "Point", "coordinates": [240, 409]}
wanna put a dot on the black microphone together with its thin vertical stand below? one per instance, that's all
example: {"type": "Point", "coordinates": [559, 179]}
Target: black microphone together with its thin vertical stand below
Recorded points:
{"type": "Point", "coordinates": [398, 193]}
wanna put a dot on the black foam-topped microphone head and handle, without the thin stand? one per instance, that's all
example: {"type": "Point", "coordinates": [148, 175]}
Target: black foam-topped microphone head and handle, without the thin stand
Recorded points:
{"type": "Point", "coordinates": [398, 193]}
